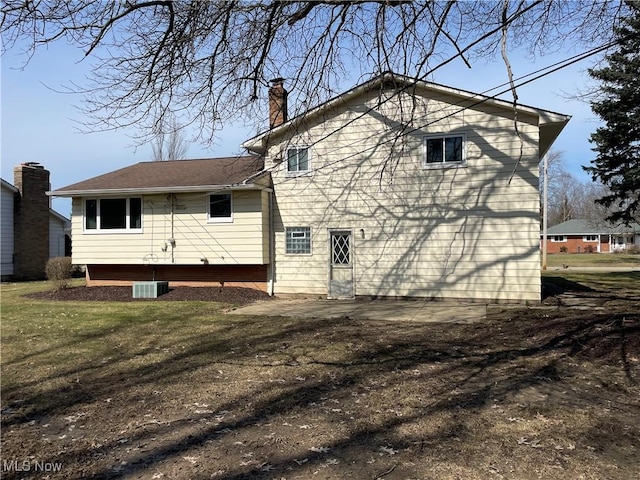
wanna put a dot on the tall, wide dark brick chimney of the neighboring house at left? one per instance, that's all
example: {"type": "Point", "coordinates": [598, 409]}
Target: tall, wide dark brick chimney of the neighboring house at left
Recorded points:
{"type": "Point", "coordinates": [31, 221]}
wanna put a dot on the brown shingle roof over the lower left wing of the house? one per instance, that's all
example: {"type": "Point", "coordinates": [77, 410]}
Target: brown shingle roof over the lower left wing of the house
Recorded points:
{"type": "Point", "coordinates": [171, 175]}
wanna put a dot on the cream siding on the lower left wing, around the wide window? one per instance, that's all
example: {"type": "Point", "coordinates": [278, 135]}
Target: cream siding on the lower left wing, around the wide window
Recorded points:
{"type": "Point", "coordinates": [183, 219]}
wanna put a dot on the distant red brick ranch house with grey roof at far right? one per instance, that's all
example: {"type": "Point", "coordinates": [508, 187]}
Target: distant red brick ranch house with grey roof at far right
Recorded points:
{"type": "Point", "coordinates": [579, 236]}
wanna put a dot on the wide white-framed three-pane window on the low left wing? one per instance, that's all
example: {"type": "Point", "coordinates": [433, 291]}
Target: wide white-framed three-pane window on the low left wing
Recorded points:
{"type": "Point", "coordinates": [113, 214]}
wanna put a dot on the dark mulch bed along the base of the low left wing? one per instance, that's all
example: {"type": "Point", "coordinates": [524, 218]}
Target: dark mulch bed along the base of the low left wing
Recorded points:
{"type": "Point", "coordinates": [235, 295]}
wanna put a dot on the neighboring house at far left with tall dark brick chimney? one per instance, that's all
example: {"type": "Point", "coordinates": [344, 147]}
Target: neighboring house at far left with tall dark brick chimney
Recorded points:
{"type": "Point", "coordinates": [31, 231]}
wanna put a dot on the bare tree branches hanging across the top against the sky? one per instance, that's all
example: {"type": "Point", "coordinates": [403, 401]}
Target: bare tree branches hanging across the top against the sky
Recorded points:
{"type": "Point", "coordinates": [208, 61]}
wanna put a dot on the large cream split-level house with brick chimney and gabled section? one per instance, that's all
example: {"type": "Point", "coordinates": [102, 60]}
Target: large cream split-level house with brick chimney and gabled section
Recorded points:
{"type": "Point", "coordinates": [395, 188]}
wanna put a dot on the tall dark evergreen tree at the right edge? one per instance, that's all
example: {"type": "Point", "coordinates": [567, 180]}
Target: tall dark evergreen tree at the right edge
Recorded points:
{"type": "Point", "coordinates": [617, 143]}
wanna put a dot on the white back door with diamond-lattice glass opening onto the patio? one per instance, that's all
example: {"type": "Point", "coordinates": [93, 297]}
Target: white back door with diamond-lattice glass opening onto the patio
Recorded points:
{"type": "Point", "coordinates": [340, 264]}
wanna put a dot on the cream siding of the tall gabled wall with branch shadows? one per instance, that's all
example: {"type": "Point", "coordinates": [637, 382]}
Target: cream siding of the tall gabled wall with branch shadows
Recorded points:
{"type": "Point", "coordinates": [459, 232]}
